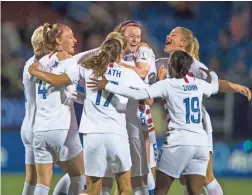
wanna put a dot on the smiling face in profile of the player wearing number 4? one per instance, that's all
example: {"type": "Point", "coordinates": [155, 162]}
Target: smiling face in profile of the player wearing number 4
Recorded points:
{"type": "Point", "coordinates": [67, 40]}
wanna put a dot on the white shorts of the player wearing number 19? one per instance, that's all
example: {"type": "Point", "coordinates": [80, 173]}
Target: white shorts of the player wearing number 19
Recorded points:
{"type": "Point", "coordinates": [183, 160]}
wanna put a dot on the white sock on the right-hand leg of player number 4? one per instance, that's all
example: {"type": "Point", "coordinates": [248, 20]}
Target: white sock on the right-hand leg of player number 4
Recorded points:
{"type": "Point", "coordinates": [77, 184]}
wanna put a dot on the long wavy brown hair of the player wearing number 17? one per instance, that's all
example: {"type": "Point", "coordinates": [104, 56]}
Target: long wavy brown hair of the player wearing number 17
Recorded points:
{"type": "Point", "coordinates": [111, 49]}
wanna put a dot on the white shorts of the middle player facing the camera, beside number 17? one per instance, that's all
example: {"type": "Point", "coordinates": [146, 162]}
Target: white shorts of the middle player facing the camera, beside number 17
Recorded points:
{"type": "Point", "coordinates": [138, 156]}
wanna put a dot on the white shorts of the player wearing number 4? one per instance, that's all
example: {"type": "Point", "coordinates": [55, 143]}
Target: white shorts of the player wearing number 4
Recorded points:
{"type": "Point", "coordinates": [56, 145]}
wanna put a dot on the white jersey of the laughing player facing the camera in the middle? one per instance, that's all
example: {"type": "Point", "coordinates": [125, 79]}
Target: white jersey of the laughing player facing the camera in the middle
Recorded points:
{"type": "Point", "coordinates": [135, 108]}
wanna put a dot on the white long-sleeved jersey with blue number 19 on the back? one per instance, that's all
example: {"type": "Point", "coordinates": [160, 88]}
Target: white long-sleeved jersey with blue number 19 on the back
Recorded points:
{"type": "Point", "coordinates": [184, 100]}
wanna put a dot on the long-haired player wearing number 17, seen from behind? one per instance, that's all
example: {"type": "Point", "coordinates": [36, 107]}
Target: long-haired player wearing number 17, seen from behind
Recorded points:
{"type": "Point", "coordinates": [103, 119]}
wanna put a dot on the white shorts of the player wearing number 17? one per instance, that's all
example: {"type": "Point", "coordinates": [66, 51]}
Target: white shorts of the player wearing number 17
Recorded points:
{"type": "Point", "coordinates": [106, 154]}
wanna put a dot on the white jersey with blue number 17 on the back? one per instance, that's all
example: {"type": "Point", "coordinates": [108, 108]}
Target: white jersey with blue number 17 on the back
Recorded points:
{"type": "Point", "coordinates": [104, 112]}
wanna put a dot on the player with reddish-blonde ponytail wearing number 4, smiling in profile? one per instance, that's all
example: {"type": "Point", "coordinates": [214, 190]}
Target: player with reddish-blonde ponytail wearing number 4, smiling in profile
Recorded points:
{"type": "Point", "coordinates": [56, 136]}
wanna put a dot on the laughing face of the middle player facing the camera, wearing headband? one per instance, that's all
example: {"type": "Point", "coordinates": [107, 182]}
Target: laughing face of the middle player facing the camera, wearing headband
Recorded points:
{"type": "Point", "coordinates": [133, 37]}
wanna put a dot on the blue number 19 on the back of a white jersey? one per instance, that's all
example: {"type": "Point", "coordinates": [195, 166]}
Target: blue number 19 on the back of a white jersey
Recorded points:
{"type": "Point", "coordinates": [192, 108]}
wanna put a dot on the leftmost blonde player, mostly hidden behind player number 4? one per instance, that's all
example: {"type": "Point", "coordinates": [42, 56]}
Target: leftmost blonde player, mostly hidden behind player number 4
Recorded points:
{"type": "Point", "coordinates": [30, 109]}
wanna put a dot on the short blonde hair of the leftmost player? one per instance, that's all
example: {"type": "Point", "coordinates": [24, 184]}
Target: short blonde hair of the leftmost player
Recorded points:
{"type": "Point", "coordinates": [37, 40]}
